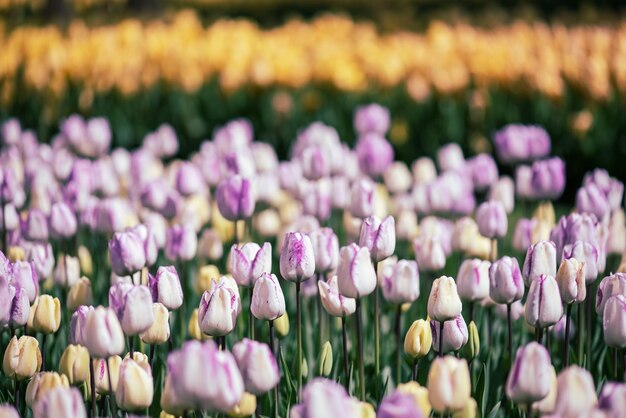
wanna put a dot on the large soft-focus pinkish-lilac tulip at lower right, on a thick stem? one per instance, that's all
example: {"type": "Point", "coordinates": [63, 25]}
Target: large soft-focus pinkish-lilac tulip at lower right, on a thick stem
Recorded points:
{"type": "Point", "coordinates": [528, 380]}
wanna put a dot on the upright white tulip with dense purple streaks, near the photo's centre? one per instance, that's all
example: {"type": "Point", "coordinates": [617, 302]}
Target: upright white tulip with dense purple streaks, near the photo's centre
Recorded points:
{"type": "Point", "coordinates": [297, 259]}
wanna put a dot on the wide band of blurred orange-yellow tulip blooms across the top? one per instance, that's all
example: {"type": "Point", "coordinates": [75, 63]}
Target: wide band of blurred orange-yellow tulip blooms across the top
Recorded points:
{"type": "Point", "coordinates": [331, 50]}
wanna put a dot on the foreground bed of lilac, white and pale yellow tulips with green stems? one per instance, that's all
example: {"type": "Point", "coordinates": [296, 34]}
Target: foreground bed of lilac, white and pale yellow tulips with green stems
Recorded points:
{"type": "Point", "coordinates": [166, 219]}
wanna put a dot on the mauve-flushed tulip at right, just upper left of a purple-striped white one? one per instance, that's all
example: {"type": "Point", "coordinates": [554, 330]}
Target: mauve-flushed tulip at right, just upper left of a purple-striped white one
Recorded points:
{"type": "Point", "coordinates": [505, 281]}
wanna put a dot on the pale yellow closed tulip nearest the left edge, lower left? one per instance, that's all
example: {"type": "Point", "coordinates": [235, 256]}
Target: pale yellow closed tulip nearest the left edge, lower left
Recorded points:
{"type": "Point", "coordinates": [22, 358]}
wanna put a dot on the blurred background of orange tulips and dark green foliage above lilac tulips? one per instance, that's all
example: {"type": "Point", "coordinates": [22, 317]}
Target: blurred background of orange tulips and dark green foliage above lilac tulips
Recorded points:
{"type": "Point", "coordinates": [447, 70]}
